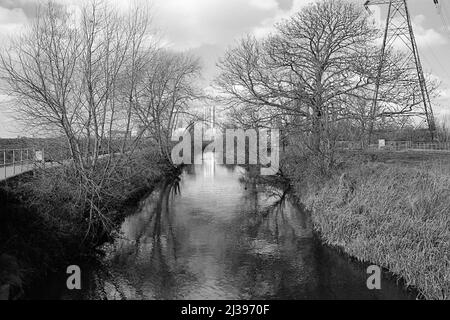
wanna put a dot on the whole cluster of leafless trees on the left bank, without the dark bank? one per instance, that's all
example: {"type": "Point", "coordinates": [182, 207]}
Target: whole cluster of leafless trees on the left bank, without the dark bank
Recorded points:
{"type": "Point", "coordinates": [99, 81]}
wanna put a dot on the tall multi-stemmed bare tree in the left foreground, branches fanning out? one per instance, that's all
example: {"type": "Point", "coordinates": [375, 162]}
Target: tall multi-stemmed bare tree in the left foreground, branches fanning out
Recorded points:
{"type": "Point", "coordinates": [71, 73]}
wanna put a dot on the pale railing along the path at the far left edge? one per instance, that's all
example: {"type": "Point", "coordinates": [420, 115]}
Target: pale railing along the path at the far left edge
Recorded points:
{"type": "Point", "coordinates": [17, 161]}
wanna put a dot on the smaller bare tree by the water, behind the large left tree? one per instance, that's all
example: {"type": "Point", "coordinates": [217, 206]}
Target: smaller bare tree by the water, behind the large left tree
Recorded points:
{"type": "Point", "coordinates": [168, 88]}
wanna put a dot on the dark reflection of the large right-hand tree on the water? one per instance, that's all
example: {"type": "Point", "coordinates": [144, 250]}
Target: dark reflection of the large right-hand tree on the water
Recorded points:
{"type": "Point", "coordinates": [277, 244]}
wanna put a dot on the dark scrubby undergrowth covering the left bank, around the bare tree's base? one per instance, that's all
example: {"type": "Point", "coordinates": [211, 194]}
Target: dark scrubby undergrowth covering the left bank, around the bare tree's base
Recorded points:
{"type": "Point", "coordinates": [44, 217]}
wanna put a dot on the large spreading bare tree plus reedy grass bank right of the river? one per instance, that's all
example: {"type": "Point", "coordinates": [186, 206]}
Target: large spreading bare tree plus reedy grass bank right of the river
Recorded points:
{"type": "Point", "coordinates": [314, 79]}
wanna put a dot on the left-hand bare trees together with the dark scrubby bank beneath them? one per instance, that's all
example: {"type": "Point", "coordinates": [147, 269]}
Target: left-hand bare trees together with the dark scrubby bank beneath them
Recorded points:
{"type": "Point", "coordinates": [106, 96]}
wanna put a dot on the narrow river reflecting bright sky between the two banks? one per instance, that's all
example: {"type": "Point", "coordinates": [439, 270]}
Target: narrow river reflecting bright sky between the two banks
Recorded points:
{"type": "Point", "coordinates": [214, 235]}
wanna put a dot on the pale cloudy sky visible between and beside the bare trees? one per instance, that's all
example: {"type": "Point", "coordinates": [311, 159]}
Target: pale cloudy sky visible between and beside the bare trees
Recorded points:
{"type": "Point", "coordinates": [208, 27]}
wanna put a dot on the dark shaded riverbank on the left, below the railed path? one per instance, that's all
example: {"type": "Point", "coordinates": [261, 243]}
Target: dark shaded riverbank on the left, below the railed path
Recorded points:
{"type": "Point", "coordinates": [42, 229]}
